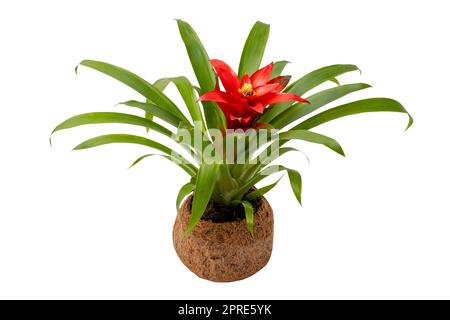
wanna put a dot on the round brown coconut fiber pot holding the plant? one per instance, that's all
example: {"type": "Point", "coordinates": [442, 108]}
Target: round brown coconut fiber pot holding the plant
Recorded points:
{"type": "Point", "coordinates": [224, 251]}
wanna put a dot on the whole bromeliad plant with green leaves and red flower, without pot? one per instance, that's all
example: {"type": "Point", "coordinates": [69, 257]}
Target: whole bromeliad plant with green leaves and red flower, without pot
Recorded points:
{"type": "Point", "coordinates": [253, 100]}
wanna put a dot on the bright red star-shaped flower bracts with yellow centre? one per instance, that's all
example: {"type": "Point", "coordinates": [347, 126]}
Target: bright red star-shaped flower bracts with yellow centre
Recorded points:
{"type": "Point", "coordinates": [245, 100]}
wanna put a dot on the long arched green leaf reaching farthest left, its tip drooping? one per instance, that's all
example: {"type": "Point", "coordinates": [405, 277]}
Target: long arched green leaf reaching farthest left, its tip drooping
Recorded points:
{"type": "Point", "coordinates": [110, 117]}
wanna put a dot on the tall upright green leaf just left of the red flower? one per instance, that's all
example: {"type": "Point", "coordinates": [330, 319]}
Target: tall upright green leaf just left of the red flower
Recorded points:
{"type": "Point", "coordinates": [204, 73]}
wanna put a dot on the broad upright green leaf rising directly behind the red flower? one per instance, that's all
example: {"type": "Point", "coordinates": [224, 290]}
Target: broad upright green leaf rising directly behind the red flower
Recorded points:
{"type": "Point", "coordinates": [254, 47]}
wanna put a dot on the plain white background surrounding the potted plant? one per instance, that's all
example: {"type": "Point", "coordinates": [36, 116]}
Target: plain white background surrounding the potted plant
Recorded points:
{"type": "Point", "coordinates": [375, 224]}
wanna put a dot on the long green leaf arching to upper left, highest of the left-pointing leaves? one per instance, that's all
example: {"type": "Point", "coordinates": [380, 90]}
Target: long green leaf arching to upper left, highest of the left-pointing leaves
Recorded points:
{"type": "Point", "coordinates": [137, 83]}
